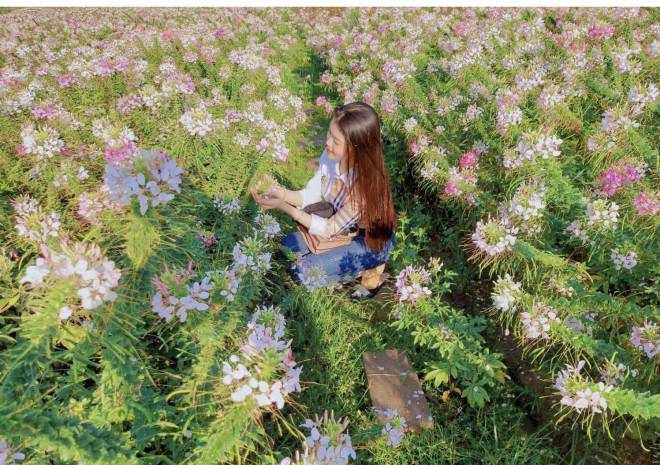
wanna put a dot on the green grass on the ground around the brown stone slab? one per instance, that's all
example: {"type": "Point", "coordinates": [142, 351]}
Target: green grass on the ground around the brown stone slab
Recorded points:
{"type": "Point", "coordinates": [330, 334]}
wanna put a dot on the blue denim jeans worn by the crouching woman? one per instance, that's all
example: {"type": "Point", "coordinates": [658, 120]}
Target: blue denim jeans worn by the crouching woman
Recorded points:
{"type": "Point", "coordinates": [338, 264]}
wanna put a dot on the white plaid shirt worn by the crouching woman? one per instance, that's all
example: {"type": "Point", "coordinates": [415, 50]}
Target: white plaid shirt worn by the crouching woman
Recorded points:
{"type": "Point", "coordinates": [327, 184]}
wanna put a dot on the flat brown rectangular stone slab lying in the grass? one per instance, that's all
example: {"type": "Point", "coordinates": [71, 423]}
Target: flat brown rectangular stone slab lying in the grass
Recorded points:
{"type": "Point", "coordinates": [393, 384]}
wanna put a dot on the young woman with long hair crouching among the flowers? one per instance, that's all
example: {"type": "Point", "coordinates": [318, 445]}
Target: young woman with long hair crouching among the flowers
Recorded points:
{"type": "Point", "coordinates": [353, 178]}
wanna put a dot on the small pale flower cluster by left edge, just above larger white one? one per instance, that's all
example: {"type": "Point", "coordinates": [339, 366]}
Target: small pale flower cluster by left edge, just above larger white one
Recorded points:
{"type": "Point", "coordinates": [32, 222]}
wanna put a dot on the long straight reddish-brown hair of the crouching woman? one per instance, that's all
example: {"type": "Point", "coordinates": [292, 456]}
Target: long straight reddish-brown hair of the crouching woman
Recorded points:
{"type": "Point", "coordinates": [361, 128]}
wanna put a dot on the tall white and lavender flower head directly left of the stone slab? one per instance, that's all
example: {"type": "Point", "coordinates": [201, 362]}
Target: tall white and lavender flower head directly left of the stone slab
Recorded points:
{"type": "Point", "coordinates": [264, 371]}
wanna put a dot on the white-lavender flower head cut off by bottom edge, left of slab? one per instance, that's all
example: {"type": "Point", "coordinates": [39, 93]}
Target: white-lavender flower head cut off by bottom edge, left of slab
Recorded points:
{"type": "Point", "coordinates": [328, 443]}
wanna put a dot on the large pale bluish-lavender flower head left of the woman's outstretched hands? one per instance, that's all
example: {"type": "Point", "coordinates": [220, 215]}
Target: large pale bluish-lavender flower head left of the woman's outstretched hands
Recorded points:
{"type": "Point", "coordinates": [153, 177]}
